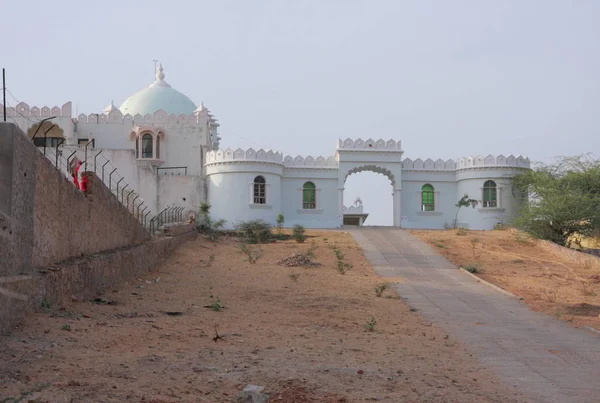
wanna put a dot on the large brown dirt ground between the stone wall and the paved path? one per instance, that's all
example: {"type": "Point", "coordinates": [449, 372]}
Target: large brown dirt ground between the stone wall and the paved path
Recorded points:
{"type": "Point", "coordinates": [299, 332]}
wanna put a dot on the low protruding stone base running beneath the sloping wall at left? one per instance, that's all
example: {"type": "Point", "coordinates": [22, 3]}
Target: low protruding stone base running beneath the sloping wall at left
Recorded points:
{"type": "Point", "coordinates": [82, 278]}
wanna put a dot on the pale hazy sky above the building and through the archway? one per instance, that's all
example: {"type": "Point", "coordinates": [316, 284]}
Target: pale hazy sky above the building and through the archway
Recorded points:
{"type": "Point", "coordinates": [448, 78]}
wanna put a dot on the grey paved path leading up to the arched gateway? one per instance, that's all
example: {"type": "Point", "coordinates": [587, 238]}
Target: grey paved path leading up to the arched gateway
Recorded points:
{"type": "Point", "coordinates": [542, 356]}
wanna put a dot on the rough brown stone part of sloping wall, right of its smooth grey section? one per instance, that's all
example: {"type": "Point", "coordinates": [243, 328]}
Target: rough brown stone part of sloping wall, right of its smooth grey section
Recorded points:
{"type": "Point", "coordinates": [69, 223]}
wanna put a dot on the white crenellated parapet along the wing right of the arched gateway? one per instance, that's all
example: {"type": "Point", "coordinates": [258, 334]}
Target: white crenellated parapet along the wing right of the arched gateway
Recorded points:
{"type": "Point", "coordinates": [465, 163]}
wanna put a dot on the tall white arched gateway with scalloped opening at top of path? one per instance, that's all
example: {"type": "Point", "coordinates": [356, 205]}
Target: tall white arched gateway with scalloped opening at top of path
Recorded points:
{"type": "Point", "coordinates": [379, 156]}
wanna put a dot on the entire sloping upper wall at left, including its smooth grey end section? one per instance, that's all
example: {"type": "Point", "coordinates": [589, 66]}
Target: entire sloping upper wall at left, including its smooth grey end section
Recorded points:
{"type": "Point", "coordinates": [45, 219]}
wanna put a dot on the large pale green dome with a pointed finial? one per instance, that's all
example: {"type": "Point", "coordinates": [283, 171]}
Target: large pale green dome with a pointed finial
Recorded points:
{"type": "Point", "coordinates": [158, 96]}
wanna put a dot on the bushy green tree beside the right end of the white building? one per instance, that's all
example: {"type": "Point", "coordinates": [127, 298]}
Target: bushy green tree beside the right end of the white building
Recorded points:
{"type": "Point", "coordinates": [564, 199]}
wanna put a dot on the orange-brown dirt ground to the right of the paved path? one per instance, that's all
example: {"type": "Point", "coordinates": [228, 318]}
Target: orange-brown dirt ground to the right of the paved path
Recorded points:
{"type": "Point", "coordinates": [547, 283]}
